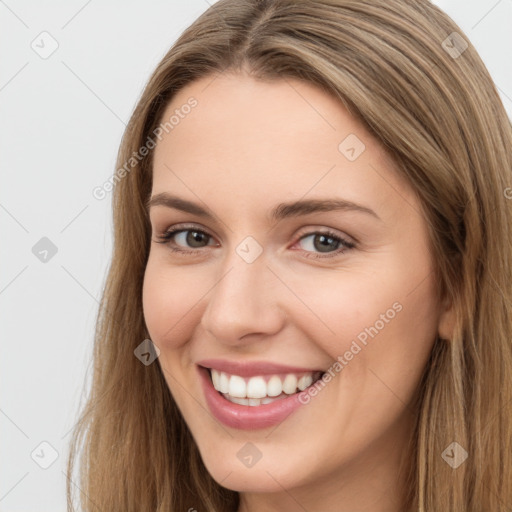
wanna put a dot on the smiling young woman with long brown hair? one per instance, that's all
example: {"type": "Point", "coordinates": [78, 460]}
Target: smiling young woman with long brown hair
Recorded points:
{"type": "Point", "coordinates": [243, 364]}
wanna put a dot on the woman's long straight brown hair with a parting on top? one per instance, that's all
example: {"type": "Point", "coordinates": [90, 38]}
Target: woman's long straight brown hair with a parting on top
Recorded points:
{"type": "Point", "coordinates": [425, 94]}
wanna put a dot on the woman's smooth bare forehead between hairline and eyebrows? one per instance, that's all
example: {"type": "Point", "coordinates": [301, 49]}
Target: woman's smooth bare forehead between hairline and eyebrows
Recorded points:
{"type": "Point", "coordinates": [248, 143]}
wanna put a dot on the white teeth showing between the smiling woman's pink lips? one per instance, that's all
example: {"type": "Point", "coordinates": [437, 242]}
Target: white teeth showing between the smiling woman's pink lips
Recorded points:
{"type": "Point", "coordinates": [261, 389]}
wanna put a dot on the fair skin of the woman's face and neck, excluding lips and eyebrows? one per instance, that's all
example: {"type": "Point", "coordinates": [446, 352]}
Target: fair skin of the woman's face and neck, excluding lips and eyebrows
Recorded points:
{"type": "Point", "coordinates": [247, 146]}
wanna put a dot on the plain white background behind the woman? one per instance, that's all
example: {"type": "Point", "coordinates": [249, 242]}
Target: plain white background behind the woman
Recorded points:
{"type": "Point", "coordinates": [61, 122]}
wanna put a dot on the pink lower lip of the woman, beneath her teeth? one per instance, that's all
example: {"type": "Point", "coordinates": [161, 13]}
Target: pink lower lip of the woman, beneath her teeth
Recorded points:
{"type": "Point", "coordinates": [246, 417]}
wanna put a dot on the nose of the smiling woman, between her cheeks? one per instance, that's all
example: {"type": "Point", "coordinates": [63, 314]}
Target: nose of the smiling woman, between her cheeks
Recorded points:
{"type": "Point", "coordinates": [244, 305]}
